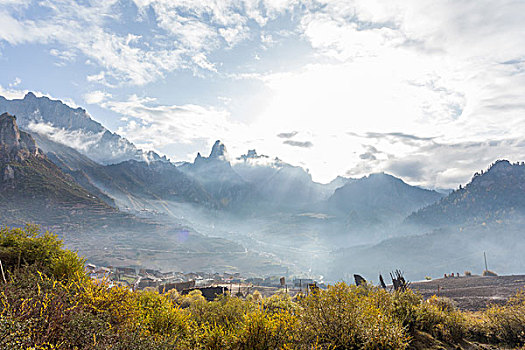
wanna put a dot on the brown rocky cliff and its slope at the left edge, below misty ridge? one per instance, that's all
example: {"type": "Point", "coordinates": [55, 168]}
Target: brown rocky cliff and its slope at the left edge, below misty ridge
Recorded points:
{"type": "Point", "coordinates": [33, 189]}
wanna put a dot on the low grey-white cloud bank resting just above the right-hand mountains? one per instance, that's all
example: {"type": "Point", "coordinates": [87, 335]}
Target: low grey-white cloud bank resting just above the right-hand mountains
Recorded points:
{"type": "Point", "coordinates": [427, 161]}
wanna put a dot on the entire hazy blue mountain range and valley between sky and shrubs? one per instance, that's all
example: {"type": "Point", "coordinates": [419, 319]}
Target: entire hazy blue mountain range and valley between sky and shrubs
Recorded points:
{"type": "Point", "coordinates": [254, 214]}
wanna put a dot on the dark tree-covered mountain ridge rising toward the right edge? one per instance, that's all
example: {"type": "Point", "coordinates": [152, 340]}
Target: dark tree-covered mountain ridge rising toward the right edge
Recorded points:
{"type": "Point", "coordinates": [492, 195]}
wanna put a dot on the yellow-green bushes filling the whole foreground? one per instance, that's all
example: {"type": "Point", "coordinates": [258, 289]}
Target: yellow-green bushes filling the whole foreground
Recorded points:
{"type": "Point", "coordinates": [46, 302]}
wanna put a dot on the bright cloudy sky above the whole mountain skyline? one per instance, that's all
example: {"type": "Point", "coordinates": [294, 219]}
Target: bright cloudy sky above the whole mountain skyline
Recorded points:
{"type": "Point", "coordinates": [430, 91]}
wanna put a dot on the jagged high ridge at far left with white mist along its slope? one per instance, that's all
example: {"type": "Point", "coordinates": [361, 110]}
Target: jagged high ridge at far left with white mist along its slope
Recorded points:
{"type": "Point", "coordinates": [74, 127]}
